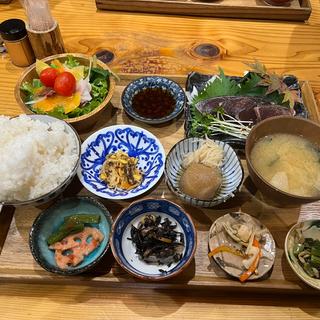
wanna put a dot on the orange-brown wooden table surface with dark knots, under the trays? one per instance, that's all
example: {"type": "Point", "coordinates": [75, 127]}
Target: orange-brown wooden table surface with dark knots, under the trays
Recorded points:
{"type": "Point", "coordinates": [162, 44]}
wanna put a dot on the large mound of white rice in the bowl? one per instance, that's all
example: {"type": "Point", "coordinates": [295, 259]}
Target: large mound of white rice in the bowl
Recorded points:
{"type": "Point", "coordinates": [35, 157]}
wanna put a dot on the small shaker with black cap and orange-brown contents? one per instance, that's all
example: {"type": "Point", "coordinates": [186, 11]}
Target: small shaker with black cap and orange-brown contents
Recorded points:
{"type": "Point", "coordinates": [14, 35]}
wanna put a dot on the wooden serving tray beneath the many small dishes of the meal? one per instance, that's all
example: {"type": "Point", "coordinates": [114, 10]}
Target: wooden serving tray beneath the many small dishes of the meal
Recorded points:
{"type": "Point", "coordinates": [17, 264]}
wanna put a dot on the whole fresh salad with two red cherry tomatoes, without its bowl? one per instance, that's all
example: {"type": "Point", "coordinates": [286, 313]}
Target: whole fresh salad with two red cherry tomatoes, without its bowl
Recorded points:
{"type": "Point", "coordinates": [65, 88]}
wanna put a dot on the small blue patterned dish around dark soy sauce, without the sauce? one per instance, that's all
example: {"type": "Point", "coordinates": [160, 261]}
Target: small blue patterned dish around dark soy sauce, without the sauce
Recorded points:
{"type": "Point", "coordinates": [153, 82]}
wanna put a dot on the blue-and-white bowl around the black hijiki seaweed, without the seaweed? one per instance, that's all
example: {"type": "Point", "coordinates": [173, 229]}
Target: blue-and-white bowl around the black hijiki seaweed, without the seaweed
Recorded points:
{"type": "Point", "coordinates": [124, 250]}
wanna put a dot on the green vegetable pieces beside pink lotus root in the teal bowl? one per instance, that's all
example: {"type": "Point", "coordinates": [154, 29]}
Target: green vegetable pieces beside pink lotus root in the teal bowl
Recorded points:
{"type": "Point", "coordinates": [71, 225]}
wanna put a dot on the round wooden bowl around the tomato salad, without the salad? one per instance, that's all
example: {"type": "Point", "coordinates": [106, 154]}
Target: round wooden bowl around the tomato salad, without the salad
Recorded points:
{"type": "Point", "coordinates": [79, 123]}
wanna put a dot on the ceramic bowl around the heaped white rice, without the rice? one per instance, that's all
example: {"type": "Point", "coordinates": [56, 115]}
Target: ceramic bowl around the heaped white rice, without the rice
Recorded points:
{"type": "Point", "coordinates": [63, 185]}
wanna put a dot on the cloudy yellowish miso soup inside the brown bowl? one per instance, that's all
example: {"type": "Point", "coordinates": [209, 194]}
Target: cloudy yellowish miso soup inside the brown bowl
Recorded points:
{"type": "Point", "coordinates": [288, 162]}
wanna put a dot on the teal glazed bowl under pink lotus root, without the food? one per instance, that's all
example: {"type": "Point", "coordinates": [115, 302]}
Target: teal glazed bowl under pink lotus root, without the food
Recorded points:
{"type": "Point", "coordinates": [49, 221]}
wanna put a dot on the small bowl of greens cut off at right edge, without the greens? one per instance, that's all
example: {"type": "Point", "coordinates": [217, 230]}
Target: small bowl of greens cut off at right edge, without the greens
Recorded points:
{"type": "Point", "coordinates": [314, 227]}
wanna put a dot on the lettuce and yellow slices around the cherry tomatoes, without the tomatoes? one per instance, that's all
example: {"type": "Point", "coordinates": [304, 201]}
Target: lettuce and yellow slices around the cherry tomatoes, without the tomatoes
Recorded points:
{"type": "Point", "coordinates": [92, 84]}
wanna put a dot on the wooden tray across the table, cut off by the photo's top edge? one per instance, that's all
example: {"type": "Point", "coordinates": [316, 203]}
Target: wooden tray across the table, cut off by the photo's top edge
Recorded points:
{"type": "Point", "coordinates": [298, 10]}
